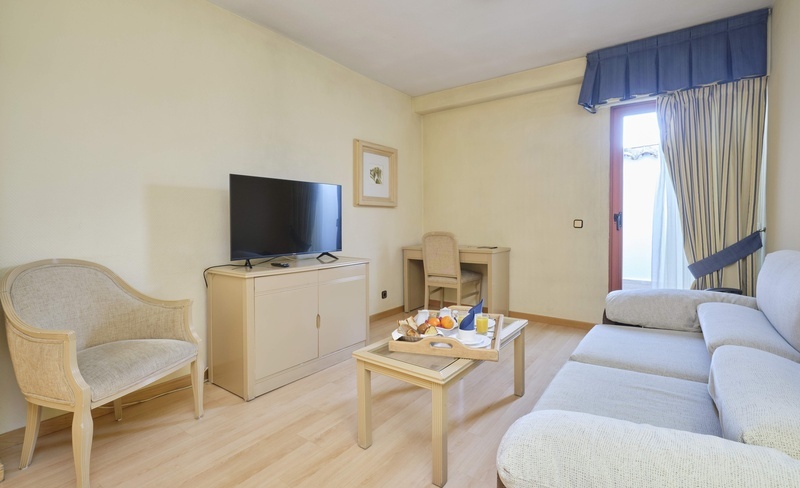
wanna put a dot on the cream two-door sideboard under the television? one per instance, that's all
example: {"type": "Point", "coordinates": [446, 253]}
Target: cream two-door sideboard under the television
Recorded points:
{"type": "Point", "coordinates": [269, 326]}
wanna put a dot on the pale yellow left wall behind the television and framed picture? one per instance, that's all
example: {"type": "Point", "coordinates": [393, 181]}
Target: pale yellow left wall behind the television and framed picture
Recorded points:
{"type": "Point", "coordinates": [119, 124]}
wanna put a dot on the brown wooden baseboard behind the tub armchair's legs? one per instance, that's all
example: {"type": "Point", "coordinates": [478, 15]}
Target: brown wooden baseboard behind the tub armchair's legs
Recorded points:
{"type": "Point", "coordinates": [64, 421]}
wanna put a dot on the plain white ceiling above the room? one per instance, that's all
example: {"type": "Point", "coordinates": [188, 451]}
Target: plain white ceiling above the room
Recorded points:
{"type": "Point", "coordinates": [423, 46]}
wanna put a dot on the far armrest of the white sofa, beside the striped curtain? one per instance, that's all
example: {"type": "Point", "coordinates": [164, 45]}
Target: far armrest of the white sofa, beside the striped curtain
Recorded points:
{"type": "Point", "coordinates": [665, 309]}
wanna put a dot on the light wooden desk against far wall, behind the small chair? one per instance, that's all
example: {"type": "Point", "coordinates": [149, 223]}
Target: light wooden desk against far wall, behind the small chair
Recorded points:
{"type": "Point", "coordinates": [492, 263]}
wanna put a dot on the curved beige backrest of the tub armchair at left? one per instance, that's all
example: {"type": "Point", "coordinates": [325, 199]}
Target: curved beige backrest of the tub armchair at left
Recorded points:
{"type": "Point", "coordinates": [80, 296]}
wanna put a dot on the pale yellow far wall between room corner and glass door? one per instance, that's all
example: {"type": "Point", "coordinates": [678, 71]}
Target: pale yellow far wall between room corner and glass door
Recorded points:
{"type": "Point", "coordinates": [516, 172]}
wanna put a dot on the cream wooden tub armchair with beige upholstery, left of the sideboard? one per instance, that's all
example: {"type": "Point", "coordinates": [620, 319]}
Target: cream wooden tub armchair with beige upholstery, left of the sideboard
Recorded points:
{"type": "Point", "coordinates": [80, 337]}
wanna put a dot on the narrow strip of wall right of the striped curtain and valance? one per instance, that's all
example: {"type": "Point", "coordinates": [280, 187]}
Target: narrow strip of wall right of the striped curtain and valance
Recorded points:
{"type": "Point", "coordinates": [783, 162]}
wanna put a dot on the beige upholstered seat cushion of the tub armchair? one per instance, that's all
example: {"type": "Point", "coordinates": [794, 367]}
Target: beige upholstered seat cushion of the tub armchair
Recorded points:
{"type": "Point", "coordinates": [115, 366]}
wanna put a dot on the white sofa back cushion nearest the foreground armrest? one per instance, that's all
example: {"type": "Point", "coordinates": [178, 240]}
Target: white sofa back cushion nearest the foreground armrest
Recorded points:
{"type": "Point", "coordinates": [758, 397]}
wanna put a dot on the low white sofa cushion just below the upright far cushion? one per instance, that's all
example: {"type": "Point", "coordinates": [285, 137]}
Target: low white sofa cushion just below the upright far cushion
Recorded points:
{"type": "Point", "coordinates": [726, 324]}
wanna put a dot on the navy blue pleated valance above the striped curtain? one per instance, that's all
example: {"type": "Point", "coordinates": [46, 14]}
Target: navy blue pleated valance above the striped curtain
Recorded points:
{"type": "Point", "coordinates": [718, 52]}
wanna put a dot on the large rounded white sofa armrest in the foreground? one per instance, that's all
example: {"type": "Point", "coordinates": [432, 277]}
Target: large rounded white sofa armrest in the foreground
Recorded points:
{"type": "Point", "coordinates": [551, 448]}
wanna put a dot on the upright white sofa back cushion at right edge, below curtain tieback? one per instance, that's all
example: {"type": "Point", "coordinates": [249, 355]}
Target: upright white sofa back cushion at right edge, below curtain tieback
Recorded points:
{"type": "Point", "coordinates": [778, 293]}
